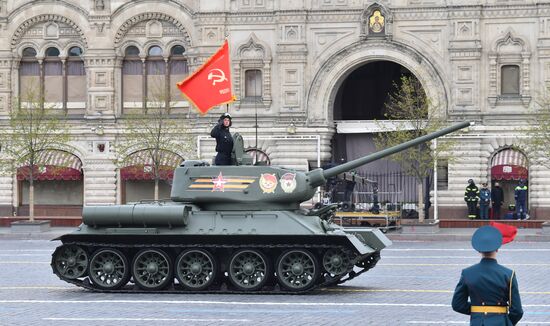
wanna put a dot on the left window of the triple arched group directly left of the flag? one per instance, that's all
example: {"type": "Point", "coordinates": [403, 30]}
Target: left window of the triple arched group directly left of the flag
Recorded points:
{"type": "Point", "coordinates": [132, 79]}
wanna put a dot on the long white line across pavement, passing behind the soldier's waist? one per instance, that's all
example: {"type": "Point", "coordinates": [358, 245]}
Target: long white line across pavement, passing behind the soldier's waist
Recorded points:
{"type": "Point", "coordinates": [242, 303]}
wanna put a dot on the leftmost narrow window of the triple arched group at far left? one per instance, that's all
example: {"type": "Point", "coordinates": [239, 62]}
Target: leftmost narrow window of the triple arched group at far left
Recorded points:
{"type": "Point", "coordinates": [29, 76]}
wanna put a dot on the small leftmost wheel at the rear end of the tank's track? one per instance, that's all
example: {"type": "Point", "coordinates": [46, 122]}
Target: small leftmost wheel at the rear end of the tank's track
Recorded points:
{"type": "Point", "coordinates": [70, 262]}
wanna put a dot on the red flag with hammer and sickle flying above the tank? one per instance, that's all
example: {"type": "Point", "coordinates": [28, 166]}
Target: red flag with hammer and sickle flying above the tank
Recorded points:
{"type": "Point", "coordinates": [210, 85]}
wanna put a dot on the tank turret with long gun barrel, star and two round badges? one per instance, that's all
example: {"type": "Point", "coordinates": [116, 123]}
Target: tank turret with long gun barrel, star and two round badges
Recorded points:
{"type": "Point", "coordinates": [265, 187]}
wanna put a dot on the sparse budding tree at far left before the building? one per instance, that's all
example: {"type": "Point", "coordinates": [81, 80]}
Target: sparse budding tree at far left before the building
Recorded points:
{"type": "Point", "coordinates": [33, 128]}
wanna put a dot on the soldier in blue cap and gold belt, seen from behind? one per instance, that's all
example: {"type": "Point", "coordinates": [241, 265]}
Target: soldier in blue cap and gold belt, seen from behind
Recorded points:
{"type": "Point", "coordinates": [491, 288]}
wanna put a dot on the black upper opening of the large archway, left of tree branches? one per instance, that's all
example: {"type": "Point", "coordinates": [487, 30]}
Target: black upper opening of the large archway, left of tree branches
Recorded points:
{"type": "Point", "coordinates": [363, 94]}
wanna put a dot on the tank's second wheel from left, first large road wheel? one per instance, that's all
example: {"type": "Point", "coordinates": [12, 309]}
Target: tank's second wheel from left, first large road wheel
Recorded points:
{"type": "Point", "coordinates": [109, 269]}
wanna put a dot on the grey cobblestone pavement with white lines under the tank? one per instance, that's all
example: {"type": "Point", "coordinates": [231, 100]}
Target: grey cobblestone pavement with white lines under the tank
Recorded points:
{"type": "Point", "coordinates": [412, 285]}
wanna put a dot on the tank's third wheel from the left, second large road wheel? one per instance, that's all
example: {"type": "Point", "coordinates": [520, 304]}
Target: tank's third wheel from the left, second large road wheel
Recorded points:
{"type": "Point", "coordinates": [152, 269]}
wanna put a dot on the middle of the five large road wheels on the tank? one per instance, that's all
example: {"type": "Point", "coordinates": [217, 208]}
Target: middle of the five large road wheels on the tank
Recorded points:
{"type": "Point", "coordinates": [196, 269]}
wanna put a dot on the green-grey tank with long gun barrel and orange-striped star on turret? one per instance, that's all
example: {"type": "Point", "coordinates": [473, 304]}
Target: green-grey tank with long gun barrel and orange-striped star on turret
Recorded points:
{"type": "Point", "coordinates": [226, 229]}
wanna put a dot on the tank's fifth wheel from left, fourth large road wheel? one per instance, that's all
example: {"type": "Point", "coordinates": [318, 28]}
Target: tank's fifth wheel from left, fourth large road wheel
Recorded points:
{"type": "Point", "coordinates": [249, 270]}
